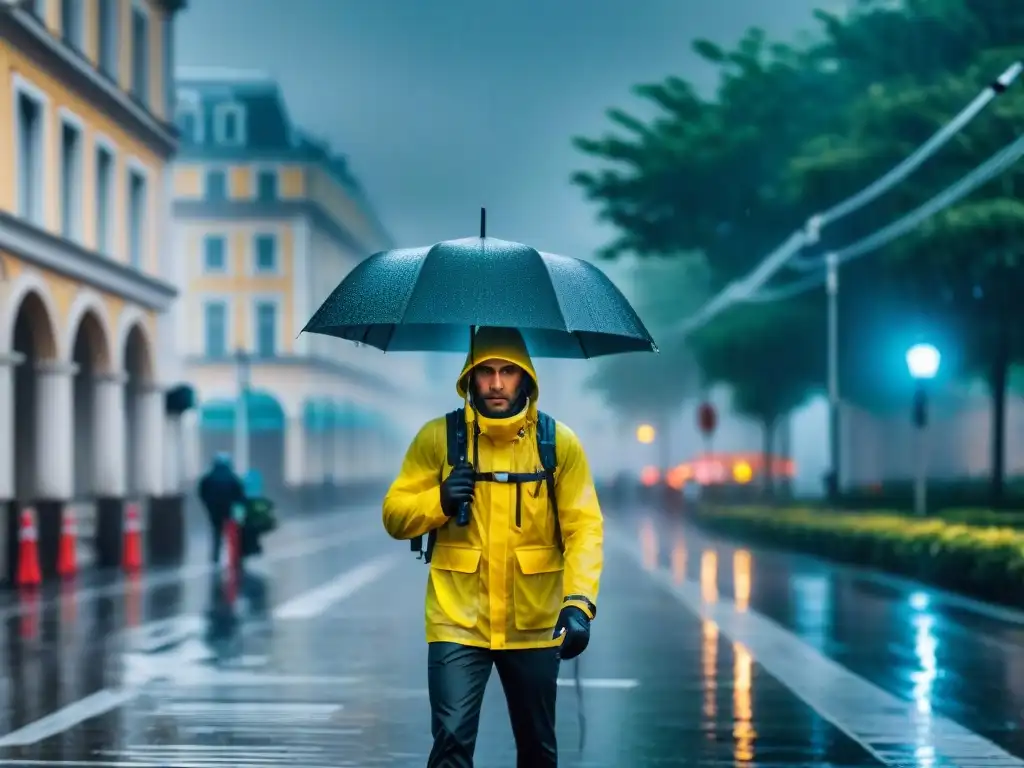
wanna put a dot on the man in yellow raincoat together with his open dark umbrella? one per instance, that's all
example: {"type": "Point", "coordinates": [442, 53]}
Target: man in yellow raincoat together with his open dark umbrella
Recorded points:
{"type": "Point", "coordinates": [515, 536]}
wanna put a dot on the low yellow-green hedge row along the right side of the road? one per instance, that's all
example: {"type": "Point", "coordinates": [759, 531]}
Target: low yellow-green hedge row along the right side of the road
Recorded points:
{"type": "Point", "coordinates": [980, 560]}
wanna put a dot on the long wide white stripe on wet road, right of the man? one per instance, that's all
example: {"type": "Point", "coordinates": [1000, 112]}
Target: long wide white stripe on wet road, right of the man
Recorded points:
{"type": "Point", "coordinates": [876, 719]}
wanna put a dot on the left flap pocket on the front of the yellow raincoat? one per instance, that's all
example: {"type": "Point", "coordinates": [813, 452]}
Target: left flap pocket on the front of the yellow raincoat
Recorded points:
{"type": "Point", "coordinates": [455, 581]}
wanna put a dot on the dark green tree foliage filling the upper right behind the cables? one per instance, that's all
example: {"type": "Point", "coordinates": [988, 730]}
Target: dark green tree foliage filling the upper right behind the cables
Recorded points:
{"type": "Point", "coordinates": [794, 130]}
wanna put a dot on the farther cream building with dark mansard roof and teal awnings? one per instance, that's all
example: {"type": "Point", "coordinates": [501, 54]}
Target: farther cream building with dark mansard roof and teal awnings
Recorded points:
{"type": "Point", "coordinates": [269, 223]}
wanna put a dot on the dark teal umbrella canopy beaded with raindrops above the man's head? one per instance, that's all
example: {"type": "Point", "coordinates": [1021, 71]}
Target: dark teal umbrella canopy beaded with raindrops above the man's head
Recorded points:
{"type": "Point", "coordinates": [428, 300]}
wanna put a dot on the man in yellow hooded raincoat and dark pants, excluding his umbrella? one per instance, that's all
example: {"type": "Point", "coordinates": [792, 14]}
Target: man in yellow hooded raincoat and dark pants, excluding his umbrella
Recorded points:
{"type": "Point", "coordinates": [517, 588]}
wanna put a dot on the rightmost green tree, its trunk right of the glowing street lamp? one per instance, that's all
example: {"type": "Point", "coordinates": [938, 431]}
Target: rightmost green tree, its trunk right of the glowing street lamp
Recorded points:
{"type": "Point", "coordinates": [960, 271]}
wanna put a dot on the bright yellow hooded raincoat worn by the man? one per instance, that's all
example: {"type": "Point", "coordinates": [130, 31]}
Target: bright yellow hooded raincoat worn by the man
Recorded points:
{"type": "Point", "coordinates": [499, 583]}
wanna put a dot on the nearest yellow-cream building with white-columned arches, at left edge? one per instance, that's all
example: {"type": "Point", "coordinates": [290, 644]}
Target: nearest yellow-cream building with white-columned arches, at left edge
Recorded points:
{"type": "Point", "coordinates": [86, 281]}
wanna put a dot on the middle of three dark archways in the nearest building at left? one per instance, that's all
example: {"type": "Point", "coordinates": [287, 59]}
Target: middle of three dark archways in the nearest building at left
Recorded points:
{"type": "Point", "coordinates": [92, 356]}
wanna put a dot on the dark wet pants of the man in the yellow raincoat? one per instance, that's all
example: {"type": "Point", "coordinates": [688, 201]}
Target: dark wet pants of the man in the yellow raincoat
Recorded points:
{"type": "Point", "coordinates": [457, 676]}
